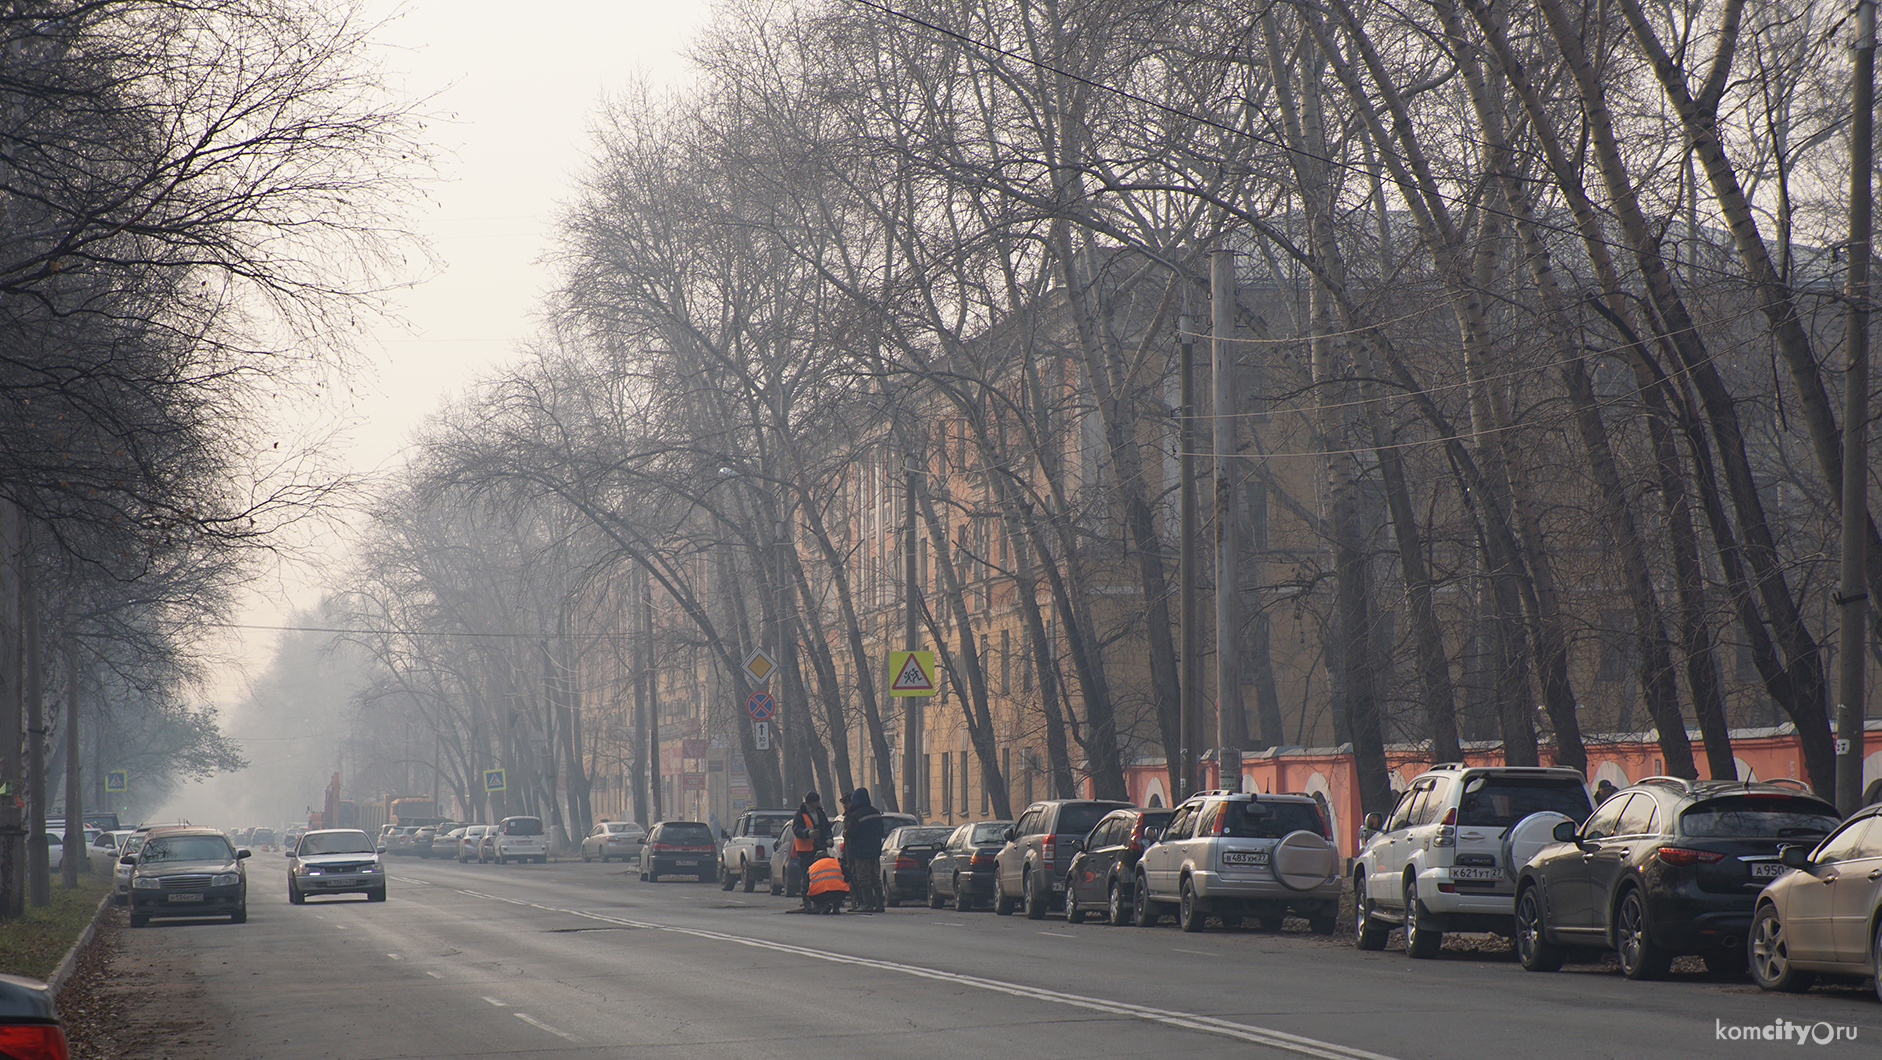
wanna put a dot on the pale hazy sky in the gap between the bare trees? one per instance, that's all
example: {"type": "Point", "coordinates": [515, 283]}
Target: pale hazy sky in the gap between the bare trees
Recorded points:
{"type": "Point", "coordinates": [513, 93]}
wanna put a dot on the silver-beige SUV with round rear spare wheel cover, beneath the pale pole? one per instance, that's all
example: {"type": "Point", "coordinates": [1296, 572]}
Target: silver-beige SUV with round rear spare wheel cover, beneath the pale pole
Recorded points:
{"type": "Point", "coordinates": [1234, 856]}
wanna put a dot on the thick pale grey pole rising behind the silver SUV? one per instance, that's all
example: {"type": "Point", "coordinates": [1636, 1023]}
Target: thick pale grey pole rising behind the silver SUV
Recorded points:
{"type": "Point", "coordinates": [1228, 545]}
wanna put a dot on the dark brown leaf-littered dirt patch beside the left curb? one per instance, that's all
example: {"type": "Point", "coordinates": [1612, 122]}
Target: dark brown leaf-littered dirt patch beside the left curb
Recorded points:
{"type": "Point", "coordinates": [136, 997]}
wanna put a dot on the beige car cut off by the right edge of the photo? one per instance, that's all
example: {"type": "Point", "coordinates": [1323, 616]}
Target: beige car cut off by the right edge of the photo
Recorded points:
{"type": "Point", "coordinates": [1825, 918]}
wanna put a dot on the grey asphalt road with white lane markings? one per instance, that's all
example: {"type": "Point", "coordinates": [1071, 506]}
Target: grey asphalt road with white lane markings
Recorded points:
{"type": "Point", "coordinates": [579, 961]}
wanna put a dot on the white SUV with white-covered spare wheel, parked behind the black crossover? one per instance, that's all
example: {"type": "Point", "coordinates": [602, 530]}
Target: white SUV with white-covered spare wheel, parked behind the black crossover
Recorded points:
{"type": "Point", "coordinates": [1448, 856]}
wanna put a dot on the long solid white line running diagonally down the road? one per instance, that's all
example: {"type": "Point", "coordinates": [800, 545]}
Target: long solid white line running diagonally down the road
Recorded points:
{"type": "Point", "coordinates": [1185, 1021]}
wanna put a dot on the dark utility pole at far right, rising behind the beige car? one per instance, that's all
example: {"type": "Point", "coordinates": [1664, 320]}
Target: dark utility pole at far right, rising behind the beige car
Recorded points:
{"type": "Point", "coordinates": [1853, 596]}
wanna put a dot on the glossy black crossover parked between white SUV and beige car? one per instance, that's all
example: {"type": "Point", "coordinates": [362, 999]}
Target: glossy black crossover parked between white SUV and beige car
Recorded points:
{"type": "Point", "coordinates": [1665, 869]}
